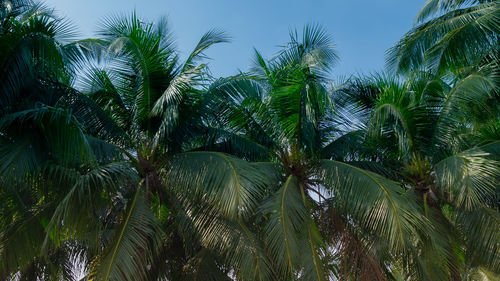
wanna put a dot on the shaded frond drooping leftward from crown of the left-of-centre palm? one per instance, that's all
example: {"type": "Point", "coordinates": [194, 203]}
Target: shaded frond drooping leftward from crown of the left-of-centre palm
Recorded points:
{"type": "Point", "coordinates": [89, 192]}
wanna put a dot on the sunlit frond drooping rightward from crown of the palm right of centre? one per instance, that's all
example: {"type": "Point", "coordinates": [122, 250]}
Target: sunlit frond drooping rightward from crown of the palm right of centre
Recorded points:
{"type": "Point", "coordinates": [374, 202]}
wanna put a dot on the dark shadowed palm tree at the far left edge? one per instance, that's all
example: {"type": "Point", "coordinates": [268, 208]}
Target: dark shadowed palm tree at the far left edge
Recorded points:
{"type": "Point", "coordinates": [46, 155]}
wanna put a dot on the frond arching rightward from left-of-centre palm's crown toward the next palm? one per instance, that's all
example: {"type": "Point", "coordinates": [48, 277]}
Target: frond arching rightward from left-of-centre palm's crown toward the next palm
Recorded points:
{"type": "Point", "coordinates": [232, 184]}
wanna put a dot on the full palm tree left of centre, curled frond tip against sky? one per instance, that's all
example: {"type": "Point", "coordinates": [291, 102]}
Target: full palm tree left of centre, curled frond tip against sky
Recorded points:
{"type": "Point", "coordinates": [158, 125]}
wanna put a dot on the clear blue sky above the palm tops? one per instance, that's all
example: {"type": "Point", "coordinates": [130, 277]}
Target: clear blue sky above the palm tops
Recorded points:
{"type": "Point", "coordinates": [362, 29]}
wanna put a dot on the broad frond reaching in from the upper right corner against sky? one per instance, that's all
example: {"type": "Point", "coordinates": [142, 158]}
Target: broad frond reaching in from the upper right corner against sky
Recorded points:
{"type": "Point", "coordinates": [459, 38]}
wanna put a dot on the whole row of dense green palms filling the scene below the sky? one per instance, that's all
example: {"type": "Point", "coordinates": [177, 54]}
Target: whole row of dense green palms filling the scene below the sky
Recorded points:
{"type": "Point", "coordinates": [120, 161]}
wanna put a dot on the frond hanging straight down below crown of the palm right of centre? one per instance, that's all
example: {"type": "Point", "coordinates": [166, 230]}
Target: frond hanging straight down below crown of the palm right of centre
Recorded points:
{"type": "Point", "coordinates": [291, 234]}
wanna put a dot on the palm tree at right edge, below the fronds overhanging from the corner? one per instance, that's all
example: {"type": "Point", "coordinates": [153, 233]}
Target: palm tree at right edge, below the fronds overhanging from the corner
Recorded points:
{"type": "Point", "coordinates": [438, 139]}
